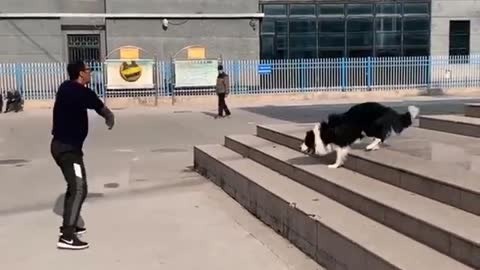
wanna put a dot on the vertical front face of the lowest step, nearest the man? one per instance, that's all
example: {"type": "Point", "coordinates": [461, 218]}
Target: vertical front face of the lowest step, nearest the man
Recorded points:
{"type": "Point", "coordinates": [312, 237]}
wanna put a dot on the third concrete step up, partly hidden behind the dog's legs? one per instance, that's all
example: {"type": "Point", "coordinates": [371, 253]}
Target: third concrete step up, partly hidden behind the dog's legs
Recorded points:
{"type": "Point", "coordinates": [452, 185]}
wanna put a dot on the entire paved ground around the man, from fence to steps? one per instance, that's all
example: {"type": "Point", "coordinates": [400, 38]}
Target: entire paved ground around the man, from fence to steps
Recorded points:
{"type": "Point", "coordinates": [147, 207]}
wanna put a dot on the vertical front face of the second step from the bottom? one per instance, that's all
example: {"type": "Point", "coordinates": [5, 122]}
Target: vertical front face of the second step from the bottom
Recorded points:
{"type": "Point", "coordinates": [423, 232]}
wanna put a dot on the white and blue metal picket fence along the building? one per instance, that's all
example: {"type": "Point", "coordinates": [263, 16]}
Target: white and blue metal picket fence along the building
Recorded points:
{"type": "Point", "coordinates": [37, 81]}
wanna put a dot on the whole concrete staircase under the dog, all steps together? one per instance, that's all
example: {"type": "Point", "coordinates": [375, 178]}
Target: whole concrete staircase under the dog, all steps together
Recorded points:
{"type": "Point", "coordinates": [413, 204]}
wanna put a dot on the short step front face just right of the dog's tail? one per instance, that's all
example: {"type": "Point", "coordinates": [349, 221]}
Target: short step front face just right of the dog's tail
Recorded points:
{"type": "Point", "coordinates": [450, 127]}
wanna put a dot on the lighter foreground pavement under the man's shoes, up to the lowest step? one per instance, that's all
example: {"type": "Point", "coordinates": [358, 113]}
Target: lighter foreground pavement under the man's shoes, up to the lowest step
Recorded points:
{"type": "Point", "coordinates": [195, 226]}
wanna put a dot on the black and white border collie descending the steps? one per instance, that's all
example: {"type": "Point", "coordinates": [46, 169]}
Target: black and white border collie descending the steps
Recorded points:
{"type": "Point", "coordinates": [368, 119]}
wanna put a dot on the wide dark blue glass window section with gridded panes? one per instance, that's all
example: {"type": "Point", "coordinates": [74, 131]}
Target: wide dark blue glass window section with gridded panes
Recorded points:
{"type": "Point", "coordinates": [353, 29]}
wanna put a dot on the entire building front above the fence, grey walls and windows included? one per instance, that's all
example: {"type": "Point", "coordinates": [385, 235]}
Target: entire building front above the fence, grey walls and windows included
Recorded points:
{"type": "Point", "coordinates": [290, 29]}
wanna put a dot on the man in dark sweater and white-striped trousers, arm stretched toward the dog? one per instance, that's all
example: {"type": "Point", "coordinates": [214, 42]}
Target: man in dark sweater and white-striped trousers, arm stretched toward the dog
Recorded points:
{"type": "Point", "coordinates": [70, 129]}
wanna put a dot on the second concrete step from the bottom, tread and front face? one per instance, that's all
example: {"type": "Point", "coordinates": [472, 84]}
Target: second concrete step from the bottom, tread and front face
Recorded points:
{"type": "Point", "coordinates": [451, 231]}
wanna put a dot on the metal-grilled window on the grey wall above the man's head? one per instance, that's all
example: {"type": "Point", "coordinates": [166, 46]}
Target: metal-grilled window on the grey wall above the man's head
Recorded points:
{"type": "Point", "coordinates": [84, 48]}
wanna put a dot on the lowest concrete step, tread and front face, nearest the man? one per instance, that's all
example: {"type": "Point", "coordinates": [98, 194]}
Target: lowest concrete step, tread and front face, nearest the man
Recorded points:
{"type": "Point", "coordinates": [334, 235]}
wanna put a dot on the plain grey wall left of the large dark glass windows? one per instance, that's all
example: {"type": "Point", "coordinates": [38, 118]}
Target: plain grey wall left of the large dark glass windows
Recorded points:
{"type": "Point", "coordinates": [65, 39]}
